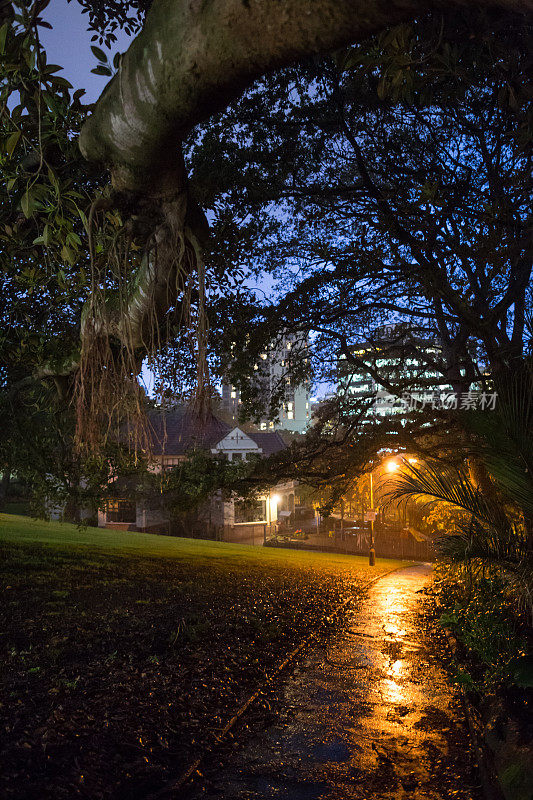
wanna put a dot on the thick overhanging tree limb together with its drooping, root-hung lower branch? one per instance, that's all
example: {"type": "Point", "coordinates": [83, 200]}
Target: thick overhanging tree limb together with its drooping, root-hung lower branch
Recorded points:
{"type": "Point", "coordinates": [190, 60]}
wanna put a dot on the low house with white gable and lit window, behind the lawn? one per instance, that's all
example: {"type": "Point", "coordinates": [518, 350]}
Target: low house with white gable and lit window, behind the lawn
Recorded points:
{"type": "Point", "coordinates": [173, 435]}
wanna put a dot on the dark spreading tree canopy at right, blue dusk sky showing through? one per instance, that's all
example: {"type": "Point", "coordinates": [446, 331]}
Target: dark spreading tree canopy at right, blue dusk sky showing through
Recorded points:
{"type": "Point", "coordinates": [391, 182]}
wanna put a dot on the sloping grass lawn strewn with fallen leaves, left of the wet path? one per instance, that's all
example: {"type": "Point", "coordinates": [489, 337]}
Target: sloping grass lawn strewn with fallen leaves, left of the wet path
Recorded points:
{"type": "Point", "coordinates": [124, 652]}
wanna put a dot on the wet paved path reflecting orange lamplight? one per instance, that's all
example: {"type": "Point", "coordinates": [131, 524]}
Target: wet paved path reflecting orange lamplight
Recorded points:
{"type": "Point", "coordinates": [370, 717]}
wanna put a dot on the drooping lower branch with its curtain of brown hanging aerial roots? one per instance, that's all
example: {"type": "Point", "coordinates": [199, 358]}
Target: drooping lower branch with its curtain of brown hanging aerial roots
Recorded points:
{"type": "Point", "coordinates": [129, 320]}
